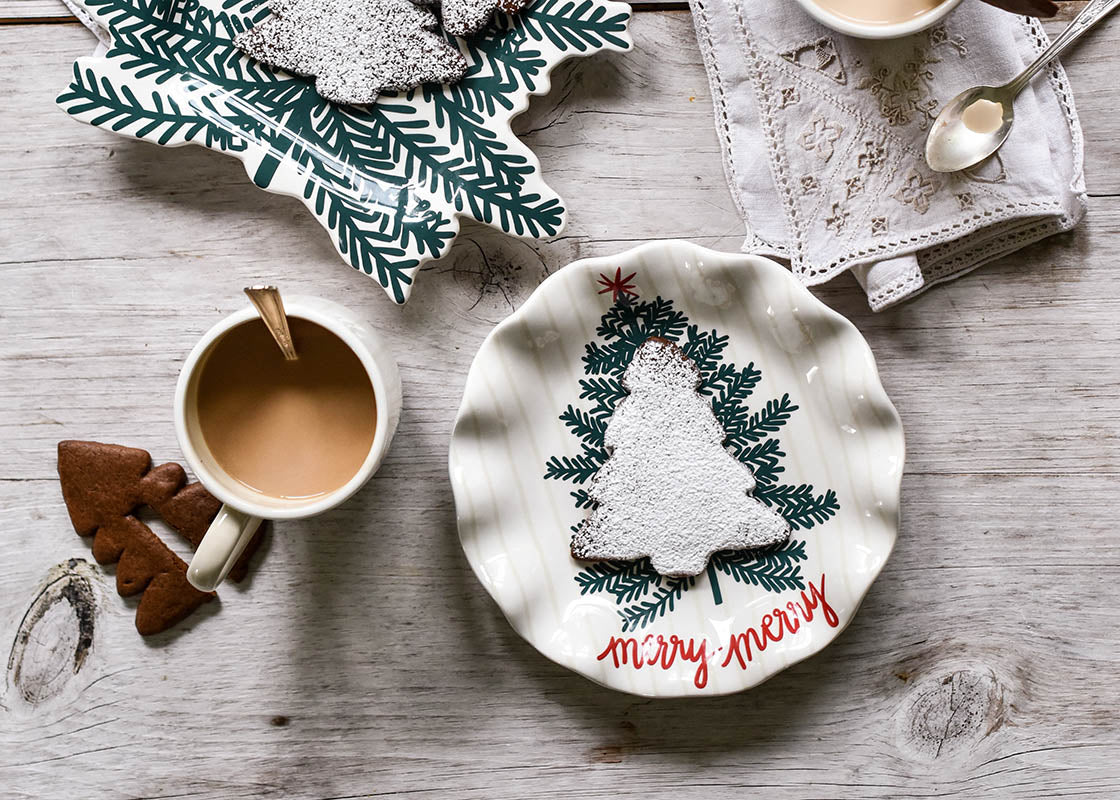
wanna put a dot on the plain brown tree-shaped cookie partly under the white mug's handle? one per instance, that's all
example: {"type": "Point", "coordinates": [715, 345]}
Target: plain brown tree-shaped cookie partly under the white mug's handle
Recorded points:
{"type": "Point", "coordinates": [102, 487]}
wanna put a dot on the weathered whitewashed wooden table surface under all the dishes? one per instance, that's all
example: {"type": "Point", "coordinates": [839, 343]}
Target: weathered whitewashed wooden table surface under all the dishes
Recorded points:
{"type": "Point", "coordinates": [363, 659]}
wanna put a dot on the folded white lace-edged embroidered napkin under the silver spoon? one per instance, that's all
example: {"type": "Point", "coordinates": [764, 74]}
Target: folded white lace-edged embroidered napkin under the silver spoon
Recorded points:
{"type": "Point", "coordinates": [824, 139]}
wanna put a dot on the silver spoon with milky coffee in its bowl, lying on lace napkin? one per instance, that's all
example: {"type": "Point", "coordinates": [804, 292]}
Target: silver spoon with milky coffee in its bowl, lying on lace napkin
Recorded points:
{"type": "Point", "coordinates": [976, 123]}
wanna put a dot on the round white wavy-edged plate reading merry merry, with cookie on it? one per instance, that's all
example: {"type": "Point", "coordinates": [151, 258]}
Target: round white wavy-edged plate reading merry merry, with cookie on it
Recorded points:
{"type": "Point", "coordinates": [554, 426]}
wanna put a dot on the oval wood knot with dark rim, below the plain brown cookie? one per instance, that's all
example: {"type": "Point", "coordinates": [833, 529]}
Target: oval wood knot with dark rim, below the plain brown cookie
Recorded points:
{"type": "Point", "coordinates": [55, 635]}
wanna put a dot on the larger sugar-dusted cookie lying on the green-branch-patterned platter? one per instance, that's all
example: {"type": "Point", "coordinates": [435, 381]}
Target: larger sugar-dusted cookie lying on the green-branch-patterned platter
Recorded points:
{"type": "Point", "coordinates": [354, 49]}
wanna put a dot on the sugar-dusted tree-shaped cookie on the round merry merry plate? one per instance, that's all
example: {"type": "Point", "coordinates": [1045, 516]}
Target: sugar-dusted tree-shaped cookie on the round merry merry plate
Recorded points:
{"type": "Point", "coordinates": [670, 491]}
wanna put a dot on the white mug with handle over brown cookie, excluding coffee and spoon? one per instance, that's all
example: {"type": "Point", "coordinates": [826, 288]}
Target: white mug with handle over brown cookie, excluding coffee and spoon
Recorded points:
{"type": "Point", "coordinates": [244, 509]}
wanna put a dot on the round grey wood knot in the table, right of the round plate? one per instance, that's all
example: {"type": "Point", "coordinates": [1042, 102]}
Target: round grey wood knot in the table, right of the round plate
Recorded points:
{"type": "Point", "coordinates": [951, 713]}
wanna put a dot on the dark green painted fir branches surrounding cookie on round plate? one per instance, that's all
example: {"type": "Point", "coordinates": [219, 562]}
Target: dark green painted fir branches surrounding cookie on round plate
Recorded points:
{"type": "Point", "coordinates": [642, 594]}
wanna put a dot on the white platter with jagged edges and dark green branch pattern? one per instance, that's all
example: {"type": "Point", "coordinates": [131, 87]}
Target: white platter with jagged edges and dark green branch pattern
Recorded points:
{"type": "Point", "coordinates": [389, 181]}
